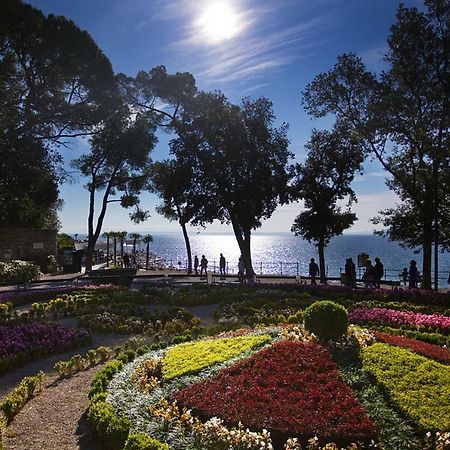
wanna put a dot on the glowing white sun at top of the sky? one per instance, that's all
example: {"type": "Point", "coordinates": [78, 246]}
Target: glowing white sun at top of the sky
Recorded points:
{"type": "Point", "coordinates": [219, 22]}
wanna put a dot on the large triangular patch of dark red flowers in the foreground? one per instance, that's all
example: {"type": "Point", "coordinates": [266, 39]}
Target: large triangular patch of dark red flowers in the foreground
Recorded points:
{"type": "Point", "coordinates": [288, 388]}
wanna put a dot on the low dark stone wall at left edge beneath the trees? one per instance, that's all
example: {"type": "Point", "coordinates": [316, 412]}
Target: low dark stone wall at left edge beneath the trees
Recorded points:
{"type": "Point", "coordinates": [23, 243]}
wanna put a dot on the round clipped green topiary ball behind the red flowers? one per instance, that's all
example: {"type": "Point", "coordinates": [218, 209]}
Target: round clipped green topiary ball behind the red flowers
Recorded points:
{"type": "Point", "coordinates": [327, 320]}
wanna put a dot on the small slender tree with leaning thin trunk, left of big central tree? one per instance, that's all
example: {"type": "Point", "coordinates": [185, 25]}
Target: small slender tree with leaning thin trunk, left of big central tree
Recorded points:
{"type": "Point", "coordinates": [172, 181]}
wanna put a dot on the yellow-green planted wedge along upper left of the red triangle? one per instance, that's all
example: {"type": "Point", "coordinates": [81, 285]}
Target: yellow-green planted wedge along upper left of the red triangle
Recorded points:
{"type": "Point", "coordinates": [192, 357]}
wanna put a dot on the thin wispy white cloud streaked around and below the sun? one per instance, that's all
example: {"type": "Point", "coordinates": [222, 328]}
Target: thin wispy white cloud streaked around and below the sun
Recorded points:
{"type": "Point", "coordinates": [265, 44]}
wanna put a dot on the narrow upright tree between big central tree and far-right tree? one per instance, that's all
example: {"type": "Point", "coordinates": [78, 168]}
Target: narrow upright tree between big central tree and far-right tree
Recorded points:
{"type": "Point", "coordinates": [322, 181]}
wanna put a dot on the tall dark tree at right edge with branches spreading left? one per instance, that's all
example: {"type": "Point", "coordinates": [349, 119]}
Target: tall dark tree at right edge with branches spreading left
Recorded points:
{"type": "Point", "coordinates": [402, 118]}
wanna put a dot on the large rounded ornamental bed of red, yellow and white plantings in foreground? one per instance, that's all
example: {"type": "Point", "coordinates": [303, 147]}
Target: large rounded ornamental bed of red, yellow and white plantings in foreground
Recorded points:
{"type": "Point", "coordinates": [278, 388]}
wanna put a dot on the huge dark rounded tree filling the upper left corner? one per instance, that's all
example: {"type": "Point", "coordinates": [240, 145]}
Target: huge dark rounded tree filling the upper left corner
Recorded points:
{"type": "Point", "coordinates": [55, 83]}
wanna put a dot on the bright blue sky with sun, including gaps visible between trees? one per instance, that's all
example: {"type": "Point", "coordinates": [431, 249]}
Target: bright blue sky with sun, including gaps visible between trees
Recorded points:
{"type": "Point", "coordinates": [244, 48]}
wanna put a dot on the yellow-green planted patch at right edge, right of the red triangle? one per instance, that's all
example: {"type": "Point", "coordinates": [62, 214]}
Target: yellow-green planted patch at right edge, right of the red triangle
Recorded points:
{"type": "Point", "coordinates": [420, 387]}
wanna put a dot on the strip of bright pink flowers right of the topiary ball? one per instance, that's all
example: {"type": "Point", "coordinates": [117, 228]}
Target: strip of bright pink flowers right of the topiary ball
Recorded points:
{"type": "Point", "coordinates": [397, 319]}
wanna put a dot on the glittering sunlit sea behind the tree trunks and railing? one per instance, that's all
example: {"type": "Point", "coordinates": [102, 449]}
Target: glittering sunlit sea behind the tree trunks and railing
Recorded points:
{"type": "Point", "coordinates": [286, 254]}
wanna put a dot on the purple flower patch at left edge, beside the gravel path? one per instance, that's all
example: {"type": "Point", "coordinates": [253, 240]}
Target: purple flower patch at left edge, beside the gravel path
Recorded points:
{"type": "Point", "coordinates": [20, 343]}
